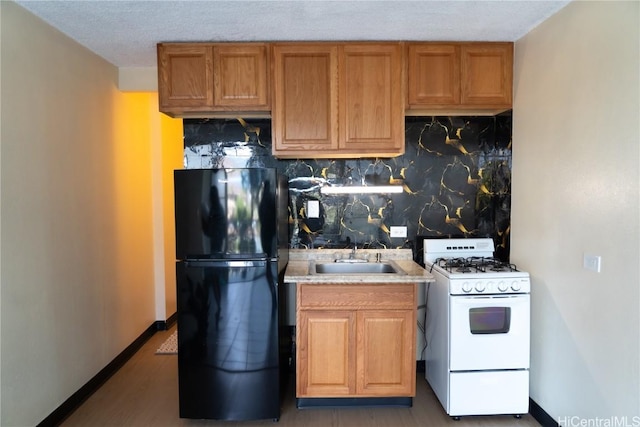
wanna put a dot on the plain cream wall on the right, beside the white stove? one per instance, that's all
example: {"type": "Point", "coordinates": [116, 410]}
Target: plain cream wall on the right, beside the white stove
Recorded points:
{"type": "Point", "coordinates": [576, 162]}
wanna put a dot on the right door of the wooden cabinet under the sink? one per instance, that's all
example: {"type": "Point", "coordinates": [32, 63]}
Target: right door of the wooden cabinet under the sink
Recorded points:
{"type": "Point", "coordinates": [386, 353]}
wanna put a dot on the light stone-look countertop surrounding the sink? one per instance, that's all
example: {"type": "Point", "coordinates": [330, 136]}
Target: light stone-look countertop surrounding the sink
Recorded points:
{"type": "Point", "coordinates": [299, 260]}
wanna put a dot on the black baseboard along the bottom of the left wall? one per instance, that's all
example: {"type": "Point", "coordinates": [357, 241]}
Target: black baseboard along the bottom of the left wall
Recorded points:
{"type": "Point", "coordinates": [77, 398]}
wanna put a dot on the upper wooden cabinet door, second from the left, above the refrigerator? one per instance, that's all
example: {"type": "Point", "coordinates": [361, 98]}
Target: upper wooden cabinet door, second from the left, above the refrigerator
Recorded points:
{"type": "Point", "coordinates": [240, 76]}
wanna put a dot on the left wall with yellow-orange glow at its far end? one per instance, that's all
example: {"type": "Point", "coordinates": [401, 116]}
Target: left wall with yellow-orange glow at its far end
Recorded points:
{"type": "Point", "coordinates": [76, 250]}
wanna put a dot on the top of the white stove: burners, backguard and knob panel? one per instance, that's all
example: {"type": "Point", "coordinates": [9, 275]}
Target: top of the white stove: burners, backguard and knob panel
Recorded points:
{"type": "Point", "coordinates": [471, 268]}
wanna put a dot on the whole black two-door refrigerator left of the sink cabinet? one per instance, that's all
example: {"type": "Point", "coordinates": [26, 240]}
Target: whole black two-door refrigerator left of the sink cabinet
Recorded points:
{"type": "Point", "coordinates": [231, 250]}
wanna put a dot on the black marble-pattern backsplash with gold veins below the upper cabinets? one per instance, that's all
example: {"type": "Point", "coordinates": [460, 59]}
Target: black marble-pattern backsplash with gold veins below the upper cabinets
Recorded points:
{"type": "Point", "coordinates": [455, 174]}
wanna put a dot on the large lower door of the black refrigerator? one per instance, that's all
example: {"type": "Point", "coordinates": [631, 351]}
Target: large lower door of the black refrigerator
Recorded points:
{"type": "Point", "coordinates": [228, 342]}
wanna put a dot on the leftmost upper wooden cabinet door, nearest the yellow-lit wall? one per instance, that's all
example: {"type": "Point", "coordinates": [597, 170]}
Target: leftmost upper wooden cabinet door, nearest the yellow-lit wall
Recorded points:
{"type": "Point", "coordinates": [185, 79]}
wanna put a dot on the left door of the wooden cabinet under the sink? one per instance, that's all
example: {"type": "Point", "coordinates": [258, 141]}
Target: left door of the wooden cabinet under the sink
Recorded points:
{"type": "Point", "coordinates": [325, 359]}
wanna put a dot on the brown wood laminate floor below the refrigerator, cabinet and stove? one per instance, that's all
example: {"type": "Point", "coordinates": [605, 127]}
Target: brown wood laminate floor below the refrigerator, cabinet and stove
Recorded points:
{"type": "Point", "coordinates": [144, 392]}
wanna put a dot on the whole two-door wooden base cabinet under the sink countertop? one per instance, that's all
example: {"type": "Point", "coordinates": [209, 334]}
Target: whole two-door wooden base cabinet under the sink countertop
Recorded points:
{"type": "Point", "coordinates": [356, 340]}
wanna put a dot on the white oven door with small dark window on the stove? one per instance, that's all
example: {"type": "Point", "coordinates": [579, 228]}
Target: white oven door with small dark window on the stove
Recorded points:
{"type": "Point", "coordinates": [489, 332]}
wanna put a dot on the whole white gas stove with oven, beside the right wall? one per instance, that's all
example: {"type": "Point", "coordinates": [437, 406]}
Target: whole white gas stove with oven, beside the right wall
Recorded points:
{"type": "Point", "coordinates": [477, 329]}
